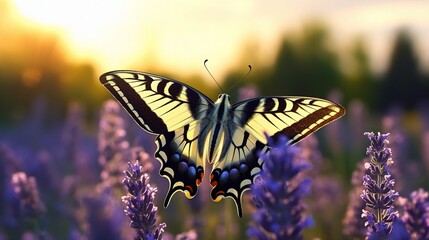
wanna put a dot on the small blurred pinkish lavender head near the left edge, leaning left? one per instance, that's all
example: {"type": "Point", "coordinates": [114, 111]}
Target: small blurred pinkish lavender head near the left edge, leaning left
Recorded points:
{"type": "Point", "coordinates": [26, 189]}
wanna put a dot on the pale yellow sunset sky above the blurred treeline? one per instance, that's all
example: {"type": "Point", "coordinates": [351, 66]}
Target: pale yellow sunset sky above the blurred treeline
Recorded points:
{"type": "Point", "coordinates": [181, 34]}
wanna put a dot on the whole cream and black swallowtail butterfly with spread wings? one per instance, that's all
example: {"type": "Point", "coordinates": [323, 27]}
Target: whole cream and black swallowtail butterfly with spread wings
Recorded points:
{"type": "Point", "coordinates": [193, 130]}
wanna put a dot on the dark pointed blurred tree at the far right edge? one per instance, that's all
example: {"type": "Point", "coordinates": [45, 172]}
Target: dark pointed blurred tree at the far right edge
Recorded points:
{"type": "Point", "coordinates": [402, 84]}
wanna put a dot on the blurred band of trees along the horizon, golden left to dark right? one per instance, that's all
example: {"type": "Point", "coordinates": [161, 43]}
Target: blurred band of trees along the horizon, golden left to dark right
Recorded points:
{"type": "Point", "coordinates": [305, 64]}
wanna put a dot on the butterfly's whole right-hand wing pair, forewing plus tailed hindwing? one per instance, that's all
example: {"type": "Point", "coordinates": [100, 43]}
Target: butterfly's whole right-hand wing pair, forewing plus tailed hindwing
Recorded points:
{"type": "Point", "coordinates": [252, 120]}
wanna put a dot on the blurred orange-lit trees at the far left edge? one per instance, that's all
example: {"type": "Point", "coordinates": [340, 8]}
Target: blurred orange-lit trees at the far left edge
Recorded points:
{"type": "Point", "coordinates": [35, 66]}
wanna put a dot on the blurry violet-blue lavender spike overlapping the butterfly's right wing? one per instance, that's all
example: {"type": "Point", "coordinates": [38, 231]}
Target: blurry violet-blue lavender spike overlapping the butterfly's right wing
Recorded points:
{"type": "Point", "coordinates": [278, 195]}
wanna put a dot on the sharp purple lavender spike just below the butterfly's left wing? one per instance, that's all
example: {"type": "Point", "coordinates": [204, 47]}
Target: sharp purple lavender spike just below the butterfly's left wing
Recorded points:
{"type": "Point", "coordinates": [140, 207]}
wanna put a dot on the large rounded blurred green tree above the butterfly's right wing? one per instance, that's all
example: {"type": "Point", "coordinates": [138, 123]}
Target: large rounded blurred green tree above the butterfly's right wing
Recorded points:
{"type": "Point", "coordinates": [305, 65]}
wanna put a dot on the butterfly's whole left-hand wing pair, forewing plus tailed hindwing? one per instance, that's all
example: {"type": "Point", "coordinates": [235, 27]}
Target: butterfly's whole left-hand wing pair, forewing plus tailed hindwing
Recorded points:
{"type": "Point", "coordinates": [173, 110]}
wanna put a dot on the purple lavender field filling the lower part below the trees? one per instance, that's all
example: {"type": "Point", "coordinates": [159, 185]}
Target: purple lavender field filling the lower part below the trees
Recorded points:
{"type": "Point", "coordinates": [65, 180]}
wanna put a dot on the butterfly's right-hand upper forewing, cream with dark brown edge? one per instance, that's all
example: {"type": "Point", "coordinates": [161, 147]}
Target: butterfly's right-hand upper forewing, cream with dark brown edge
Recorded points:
{"type": "Point", "coordinates": [293, 117]}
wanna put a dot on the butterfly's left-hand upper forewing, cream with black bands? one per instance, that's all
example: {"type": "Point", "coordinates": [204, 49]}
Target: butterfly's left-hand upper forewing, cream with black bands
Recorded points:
{"type": "Point", "coordinates": [156, 103]}
